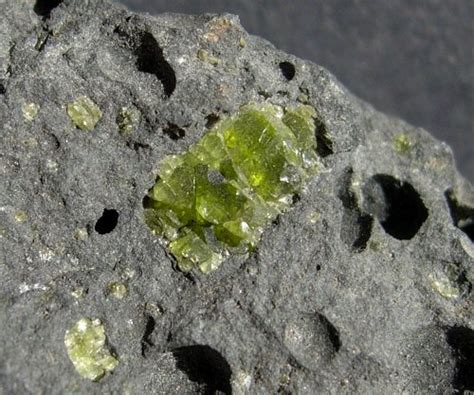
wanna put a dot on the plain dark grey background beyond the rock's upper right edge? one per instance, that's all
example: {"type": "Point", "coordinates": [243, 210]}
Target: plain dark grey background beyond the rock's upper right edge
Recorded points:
{"type": "Point", "coordinates": [410, 58]}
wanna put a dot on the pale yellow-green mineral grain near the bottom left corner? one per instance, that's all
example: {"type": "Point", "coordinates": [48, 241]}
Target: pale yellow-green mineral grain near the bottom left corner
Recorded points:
{"type": "Point", "coordinates": [86, 347]}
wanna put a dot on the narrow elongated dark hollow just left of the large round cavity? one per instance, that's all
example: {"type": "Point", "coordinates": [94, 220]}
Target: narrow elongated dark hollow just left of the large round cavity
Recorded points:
{"type": "Point", "coordinates": [356, 226]}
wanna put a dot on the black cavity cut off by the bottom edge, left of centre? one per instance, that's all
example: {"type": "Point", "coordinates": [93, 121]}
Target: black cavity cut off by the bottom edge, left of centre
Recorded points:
{"type": "Point", "coordinates": [206, 366]}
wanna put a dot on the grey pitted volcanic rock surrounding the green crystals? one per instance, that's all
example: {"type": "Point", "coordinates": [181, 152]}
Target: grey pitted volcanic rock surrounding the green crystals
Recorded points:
{"type": "Point", "coordinates": [363, 286]}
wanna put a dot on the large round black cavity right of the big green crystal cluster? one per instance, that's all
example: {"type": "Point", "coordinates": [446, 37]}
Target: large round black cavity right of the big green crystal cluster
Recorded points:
{"type": "Point", "coordinates": [397, 205]}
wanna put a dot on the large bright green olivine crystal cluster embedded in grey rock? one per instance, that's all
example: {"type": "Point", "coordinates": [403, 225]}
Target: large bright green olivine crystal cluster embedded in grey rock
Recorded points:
{"type": "Point", "coordinates": [216, 198]}
